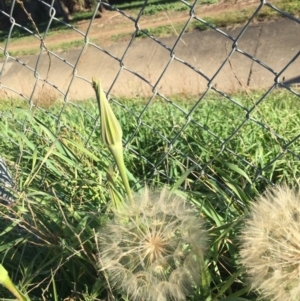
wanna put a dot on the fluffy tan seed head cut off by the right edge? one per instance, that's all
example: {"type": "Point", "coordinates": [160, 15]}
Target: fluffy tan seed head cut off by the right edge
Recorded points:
{"type": "Point", "coordinates": [271, 244]}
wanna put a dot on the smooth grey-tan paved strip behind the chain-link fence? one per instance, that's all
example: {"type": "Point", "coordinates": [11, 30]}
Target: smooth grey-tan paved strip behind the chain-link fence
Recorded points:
{"type": "Point", "coordinates": [274, 44]}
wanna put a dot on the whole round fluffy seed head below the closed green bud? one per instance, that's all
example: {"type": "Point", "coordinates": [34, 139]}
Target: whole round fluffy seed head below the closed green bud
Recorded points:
{"type": "Point", "coordinates": [151, 248]}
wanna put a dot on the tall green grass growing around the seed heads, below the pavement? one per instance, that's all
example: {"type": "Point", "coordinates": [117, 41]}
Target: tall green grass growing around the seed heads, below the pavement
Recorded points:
{"type": "Point", "coordinates": [64, 199]}
